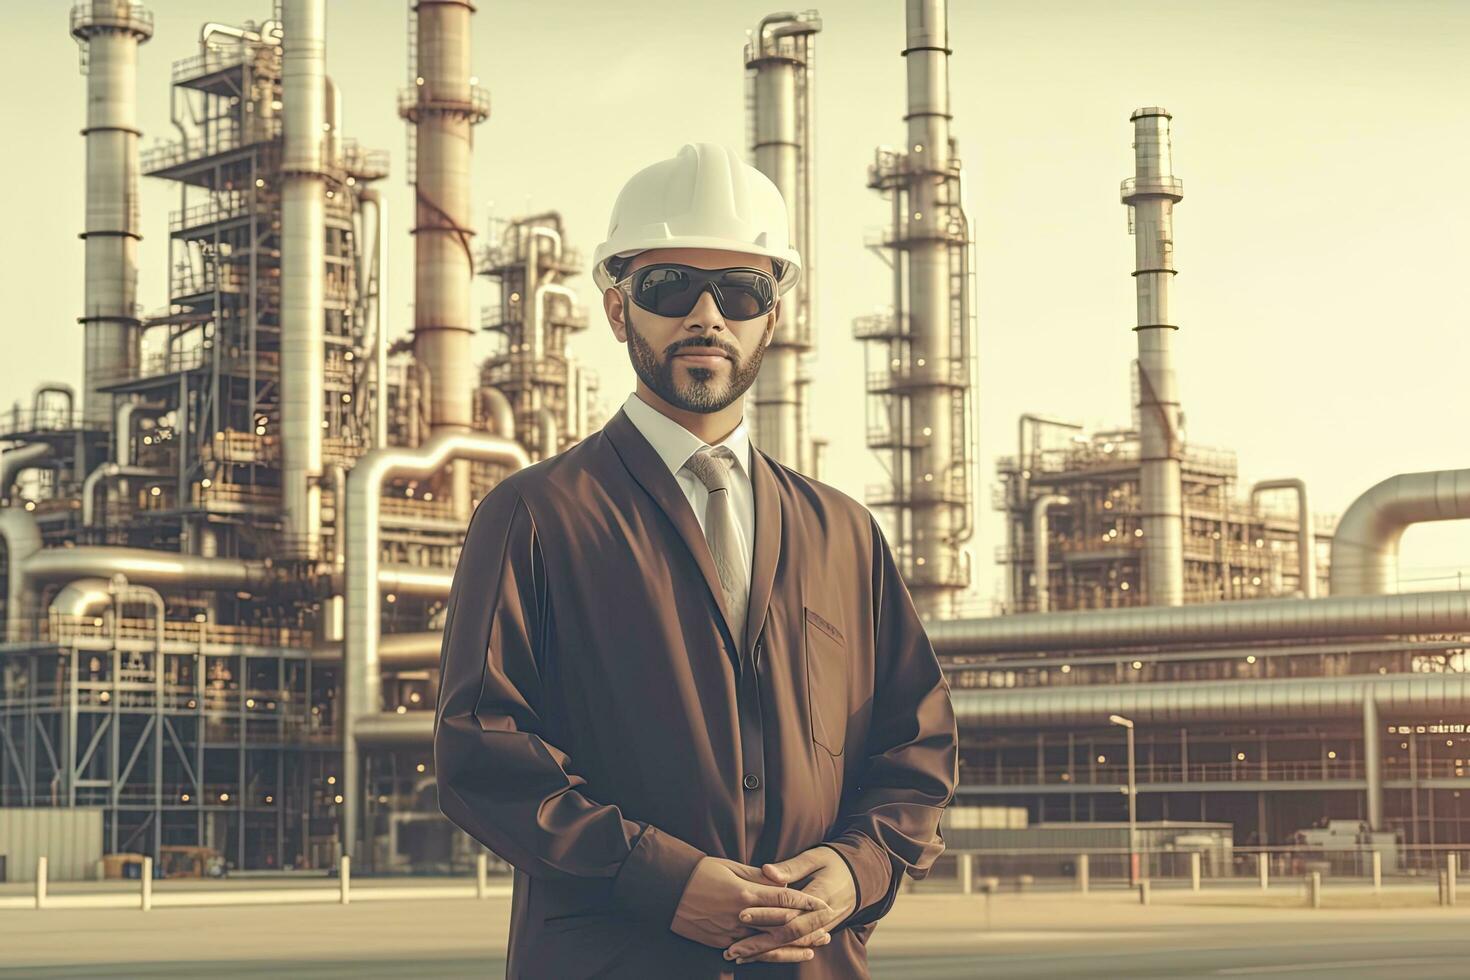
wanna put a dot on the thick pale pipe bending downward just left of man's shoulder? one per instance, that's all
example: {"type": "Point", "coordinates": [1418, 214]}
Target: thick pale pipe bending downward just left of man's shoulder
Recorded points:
{"type": "Point", "coordinates": [362, 682]}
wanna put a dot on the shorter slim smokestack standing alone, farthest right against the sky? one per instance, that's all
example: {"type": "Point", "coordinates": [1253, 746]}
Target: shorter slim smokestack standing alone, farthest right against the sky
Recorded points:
{"type": "Point", "coordinates": [1150, 196]}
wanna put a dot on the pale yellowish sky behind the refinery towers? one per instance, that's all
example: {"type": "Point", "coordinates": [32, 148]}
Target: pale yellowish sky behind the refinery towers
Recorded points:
{"type": "Point", "coordinates": [1324, 240]}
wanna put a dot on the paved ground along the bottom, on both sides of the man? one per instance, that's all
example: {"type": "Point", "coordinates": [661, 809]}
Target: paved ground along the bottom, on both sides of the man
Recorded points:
{"type": "Point", "coordinates": [927, 937]}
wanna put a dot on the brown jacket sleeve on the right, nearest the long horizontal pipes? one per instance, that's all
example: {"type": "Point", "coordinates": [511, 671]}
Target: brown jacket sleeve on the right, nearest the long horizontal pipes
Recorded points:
{"type": "Point", "coordinates": [892, 825]}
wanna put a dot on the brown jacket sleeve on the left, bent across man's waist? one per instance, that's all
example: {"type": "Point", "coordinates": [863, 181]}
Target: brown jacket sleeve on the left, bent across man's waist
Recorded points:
{"type": "Point", "coordinates": [499, 778]}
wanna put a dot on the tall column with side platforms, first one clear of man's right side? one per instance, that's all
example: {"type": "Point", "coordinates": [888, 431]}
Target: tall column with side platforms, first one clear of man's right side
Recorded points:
{"type": "Point", "coordinates": [921, 384]}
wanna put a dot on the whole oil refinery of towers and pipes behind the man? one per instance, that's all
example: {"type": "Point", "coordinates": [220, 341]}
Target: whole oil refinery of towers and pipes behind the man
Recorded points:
{"type": "Point", "coordinates": [227, 553]}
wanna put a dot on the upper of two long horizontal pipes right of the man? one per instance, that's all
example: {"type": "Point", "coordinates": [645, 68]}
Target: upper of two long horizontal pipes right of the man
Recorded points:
{"type": "Point", "coordinates": [1208, 624]}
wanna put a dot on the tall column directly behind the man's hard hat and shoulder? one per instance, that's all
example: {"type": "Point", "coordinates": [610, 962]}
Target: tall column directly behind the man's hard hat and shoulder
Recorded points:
{"type": "Point", "coordinates": [780, 73]}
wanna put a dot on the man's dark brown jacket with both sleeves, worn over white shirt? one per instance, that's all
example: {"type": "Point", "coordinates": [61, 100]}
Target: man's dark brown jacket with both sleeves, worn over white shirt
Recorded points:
{"type": "Point", "coordinates": [602, 731]}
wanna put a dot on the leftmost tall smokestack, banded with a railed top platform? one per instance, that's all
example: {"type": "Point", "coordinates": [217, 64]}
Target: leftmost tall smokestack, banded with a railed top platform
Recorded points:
{"type": "Point", "coordinates": [110, 33]}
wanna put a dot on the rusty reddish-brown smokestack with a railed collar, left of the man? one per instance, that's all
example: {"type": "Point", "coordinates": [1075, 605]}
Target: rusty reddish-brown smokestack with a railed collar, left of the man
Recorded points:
{"type": "Point", "coordinates": [443, 105]}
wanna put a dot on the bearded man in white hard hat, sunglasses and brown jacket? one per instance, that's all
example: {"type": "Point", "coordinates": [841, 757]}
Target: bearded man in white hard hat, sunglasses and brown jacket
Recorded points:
{"type": "Point", "coordinates": [684, 690]}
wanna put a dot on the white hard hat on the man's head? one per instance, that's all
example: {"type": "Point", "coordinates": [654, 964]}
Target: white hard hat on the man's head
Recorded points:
{"type": "Point", "coordinates": [705, 198]}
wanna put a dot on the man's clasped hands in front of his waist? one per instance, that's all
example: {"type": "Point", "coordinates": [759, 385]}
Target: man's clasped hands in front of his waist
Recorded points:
{"type": "Point", "coordinates": [755, 913]}
